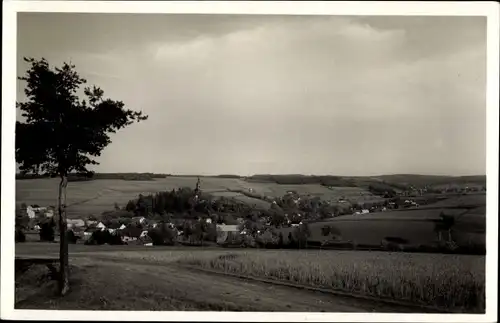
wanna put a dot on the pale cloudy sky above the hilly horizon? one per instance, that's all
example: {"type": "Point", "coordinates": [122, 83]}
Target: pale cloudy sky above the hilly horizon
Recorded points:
{"type": "Point", "coordinates": [229, 94]}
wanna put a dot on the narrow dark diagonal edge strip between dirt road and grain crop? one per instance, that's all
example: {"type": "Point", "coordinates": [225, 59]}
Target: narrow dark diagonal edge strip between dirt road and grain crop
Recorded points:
{"type": "Point", "coordinates": [426, 308]}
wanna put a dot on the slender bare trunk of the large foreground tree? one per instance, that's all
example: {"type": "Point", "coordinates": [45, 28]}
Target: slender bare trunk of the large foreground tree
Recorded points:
{"type": "Point", "coordinates": [63, 242]}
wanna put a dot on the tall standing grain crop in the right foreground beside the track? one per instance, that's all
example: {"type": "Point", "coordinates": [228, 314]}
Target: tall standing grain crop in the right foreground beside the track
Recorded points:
{"type": "Point", "coordinates": [444, 281]}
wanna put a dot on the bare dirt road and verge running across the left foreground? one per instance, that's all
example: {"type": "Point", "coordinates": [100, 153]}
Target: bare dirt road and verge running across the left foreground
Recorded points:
{"type": "Point", "coordinates": [101, 282]}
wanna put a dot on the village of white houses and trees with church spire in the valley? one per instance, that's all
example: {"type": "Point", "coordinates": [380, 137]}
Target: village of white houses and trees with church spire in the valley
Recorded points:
{"type": "Point", "coordinates": [209, 220]}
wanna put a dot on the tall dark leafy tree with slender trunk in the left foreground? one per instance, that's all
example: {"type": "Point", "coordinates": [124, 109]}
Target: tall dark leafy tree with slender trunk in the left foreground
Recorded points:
{"type": "Point", "coordinates": [62, 134]}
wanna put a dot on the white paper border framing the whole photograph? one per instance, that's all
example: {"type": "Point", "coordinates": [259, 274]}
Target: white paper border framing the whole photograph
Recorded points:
{"type": "Point", "coordinates": [374, 8]}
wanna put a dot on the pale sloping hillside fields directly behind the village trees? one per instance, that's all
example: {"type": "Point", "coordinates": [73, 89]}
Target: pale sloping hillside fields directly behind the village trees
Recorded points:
{"type": "Point", "coordinates": [94, 197]}
